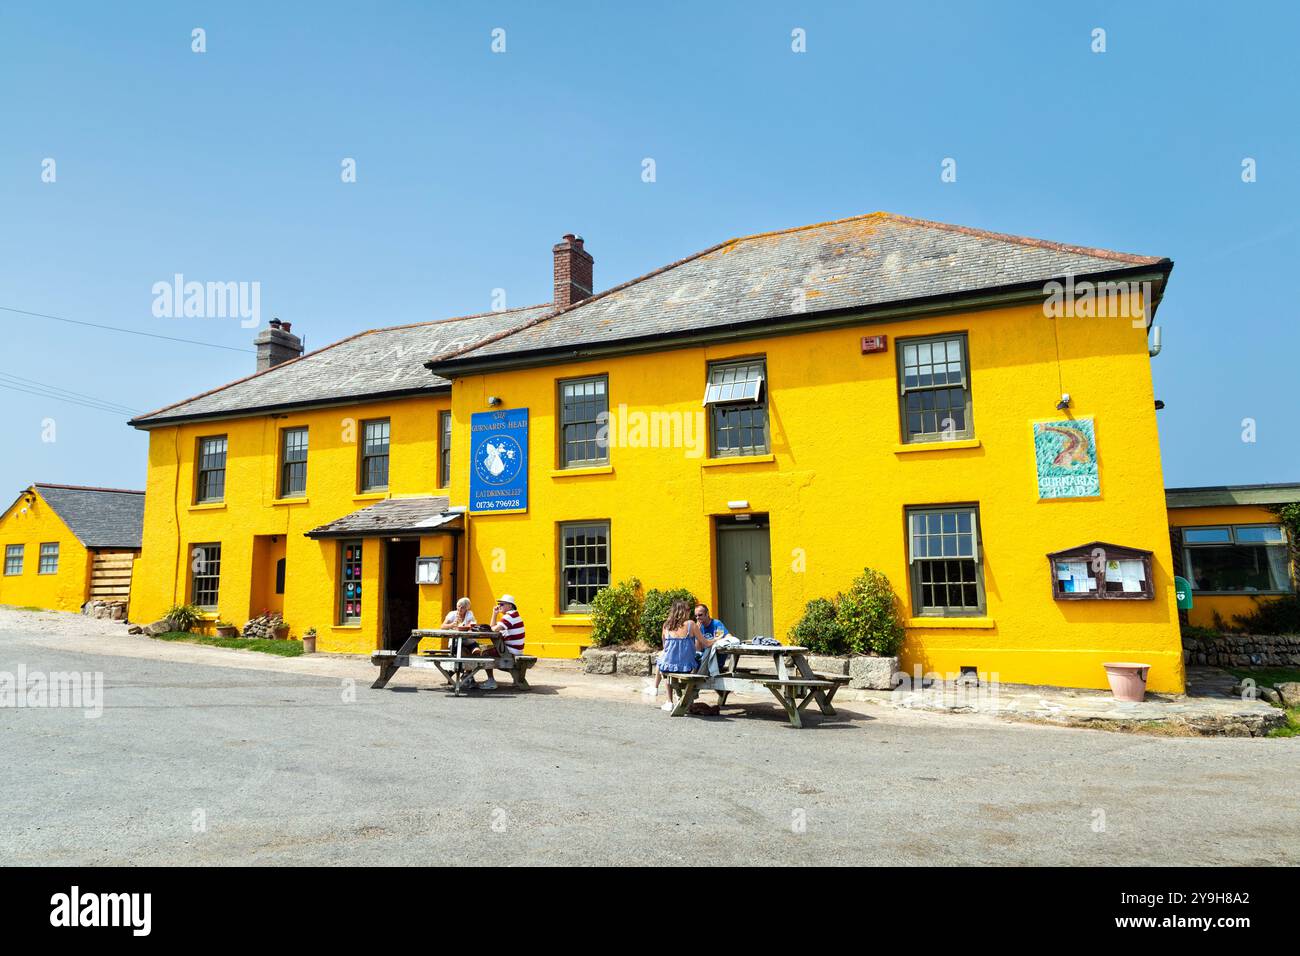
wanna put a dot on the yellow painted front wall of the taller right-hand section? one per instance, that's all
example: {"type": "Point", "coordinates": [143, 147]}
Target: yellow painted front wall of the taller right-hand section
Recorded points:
{"type": "Point", "coordinates": [838, 483]}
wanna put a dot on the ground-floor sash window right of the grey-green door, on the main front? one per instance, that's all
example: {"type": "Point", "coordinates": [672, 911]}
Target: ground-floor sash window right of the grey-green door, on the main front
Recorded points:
{"type": "Point", "coordinates": [944, 560]}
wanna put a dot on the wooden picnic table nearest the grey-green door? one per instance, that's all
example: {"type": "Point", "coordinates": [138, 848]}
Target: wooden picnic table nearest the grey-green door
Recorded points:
{"type": "Point", "coordinates": [795, 685]}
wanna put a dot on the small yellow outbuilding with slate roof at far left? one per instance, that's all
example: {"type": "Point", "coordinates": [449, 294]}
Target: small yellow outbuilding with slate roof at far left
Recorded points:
{"type": "Point", "coordinates": [66, 546]}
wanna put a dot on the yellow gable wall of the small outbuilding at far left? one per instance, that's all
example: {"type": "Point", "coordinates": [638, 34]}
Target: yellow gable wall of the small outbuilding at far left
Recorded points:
{"type": "Point", "coordinates": [33, 525]}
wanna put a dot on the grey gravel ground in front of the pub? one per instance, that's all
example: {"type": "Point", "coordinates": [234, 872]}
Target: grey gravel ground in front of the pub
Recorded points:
{"type": "Point", "coordinates": [209, 756]}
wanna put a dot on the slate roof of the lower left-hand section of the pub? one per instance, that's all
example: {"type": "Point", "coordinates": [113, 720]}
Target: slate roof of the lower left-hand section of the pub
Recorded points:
{"type": "Point", "coordinates": [371, 365]}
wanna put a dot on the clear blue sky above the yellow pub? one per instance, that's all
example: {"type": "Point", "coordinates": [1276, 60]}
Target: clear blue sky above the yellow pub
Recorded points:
{"type": "Point", "coordinates": [226, 166]}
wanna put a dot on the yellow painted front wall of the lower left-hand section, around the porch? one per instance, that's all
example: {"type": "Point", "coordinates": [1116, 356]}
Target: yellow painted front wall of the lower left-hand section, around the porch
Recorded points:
{"type": "Point", "coordinates": [174, 524]}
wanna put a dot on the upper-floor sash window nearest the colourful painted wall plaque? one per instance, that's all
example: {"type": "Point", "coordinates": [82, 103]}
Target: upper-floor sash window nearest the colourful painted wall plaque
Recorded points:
{"type": "Point", "coordinates": [934, 388]}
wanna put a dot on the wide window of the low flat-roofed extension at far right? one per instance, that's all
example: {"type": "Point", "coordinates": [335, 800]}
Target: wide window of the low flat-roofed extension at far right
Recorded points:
{"type": "Point", "coordinates": [1237, 559]}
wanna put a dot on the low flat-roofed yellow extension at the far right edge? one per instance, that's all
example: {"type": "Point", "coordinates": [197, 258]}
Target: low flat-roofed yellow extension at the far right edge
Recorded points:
{"type": "Point", "coordinates": [1230, 547]}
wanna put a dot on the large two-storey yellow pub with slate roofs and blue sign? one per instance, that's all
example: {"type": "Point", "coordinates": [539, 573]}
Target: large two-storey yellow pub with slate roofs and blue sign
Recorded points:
{"type": "Point", "coordinates": [757, 423]}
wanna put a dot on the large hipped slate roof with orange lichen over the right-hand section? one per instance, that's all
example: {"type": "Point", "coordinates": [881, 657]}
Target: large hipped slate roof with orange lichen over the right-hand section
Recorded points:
{"type": "Point", "coordinates": [855, 263]}
